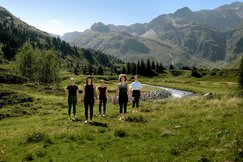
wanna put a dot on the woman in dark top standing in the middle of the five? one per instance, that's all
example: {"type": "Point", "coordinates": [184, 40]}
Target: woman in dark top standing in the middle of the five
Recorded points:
{"type": "Point", "coordinates": [102, 95]}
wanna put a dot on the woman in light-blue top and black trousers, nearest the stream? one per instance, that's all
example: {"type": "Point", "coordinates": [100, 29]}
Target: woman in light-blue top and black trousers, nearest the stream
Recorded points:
{"type": "Point", "coordinates": [135, 88]}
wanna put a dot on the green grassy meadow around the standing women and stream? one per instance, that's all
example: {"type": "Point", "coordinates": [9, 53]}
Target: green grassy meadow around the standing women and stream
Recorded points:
{"type": "Point", "coordinates": [34, 124]}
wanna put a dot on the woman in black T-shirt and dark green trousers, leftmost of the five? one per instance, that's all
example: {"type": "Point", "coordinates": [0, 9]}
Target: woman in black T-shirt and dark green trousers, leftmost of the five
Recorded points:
{"type": "Point", "coordinates": [72, 93]}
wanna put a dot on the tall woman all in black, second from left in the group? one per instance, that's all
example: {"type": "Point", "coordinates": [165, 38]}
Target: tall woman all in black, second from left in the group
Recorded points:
{"type": "Point", "coordinates": [89, 91]}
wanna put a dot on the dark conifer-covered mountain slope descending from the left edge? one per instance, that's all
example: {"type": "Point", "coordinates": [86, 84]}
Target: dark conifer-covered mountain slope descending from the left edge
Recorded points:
{"type": "Point", "coordinates": [14, 33]}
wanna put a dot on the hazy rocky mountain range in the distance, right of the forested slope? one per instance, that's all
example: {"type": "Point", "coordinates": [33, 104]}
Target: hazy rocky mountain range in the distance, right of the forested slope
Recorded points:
{"type": "Point", "coordinates": [206, 38]}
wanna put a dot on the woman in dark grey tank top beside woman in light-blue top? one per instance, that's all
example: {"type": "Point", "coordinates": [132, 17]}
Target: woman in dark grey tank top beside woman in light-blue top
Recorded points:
{"type": "Point", "coordinates": [122, 91]}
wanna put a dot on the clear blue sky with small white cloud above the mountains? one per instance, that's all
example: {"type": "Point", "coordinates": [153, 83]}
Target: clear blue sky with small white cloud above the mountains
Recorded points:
{"type": "Point", "coordinates": [62, 16]}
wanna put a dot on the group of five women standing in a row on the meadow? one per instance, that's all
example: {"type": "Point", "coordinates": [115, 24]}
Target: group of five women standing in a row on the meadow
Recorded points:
{"type": "Point", "coordinates": [123, 91]}
